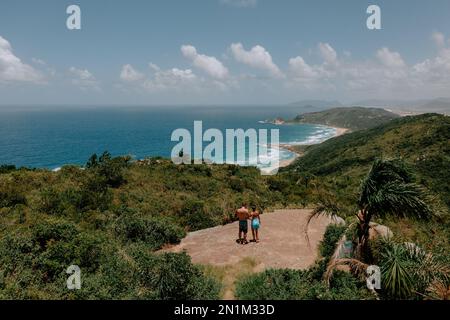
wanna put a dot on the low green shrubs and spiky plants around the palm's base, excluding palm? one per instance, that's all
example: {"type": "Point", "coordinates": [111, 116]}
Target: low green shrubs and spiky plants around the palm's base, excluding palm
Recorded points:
{"type": "Point", "coordinates": [407, 272]}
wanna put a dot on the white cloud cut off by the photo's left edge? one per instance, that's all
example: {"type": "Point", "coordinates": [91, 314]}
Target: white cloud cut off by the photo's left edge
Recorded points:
{"type": "Point", "coordinates": [12, 69]}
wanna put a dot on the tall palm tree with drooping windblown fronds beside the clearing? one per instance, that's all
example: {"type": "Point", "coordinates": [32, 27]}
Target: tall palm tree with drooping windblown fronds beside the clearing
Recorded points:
{"type": "Point", "coordinates": [388, 190]}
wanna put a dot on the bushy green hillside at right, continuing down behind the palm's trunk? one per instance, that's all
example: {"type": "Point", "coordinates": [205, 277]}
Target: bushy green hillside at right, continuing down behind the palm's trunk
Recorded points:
{"type": "Point", "coordinates": [334, 170]}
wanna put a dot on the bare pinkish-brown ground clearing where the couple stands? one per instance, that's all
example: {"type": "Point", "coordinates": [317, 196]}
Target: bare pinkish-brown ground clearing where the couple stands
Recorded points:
{"type": "Point", "coordinates": [282, 242]}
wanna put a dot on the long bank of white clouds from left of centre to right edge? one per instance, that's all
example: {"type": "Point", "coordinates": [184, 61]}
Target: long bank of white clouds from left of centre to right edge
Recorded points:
{"type": "Point", "coordinates": [383, 74]}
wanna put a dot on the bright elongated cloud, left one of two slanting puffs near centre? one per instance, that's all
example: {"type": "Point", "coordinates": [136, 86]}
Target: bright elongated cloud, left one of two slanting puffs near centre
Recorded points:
{"type": "Point", "coordinates": [210, 65]}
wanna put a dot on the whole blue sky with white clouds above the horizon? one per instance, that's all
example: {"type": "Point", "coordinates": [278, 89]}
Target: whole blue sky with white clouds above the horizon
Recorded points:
{"type": "Point", "coordinates": [222, 51]}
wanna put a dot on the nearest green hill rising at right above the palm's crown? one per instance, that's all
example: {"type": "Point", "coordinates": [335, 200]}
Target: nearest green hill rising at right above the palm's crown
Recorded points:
{"type": "Point", "coordinates": [421, 141]}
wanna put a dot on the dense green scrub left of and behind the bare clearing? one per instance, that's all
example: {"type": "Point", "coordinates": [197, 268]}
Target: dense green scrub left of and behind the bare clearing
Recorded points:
{"type": "Point", "coordinates": [109, 219]}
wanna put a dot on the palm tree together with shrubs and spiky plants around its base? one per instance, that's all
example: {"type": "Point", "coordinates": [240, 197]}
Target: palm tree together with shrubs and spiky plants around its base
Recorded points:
{"type": "Point", "coordinates": [407, 270]}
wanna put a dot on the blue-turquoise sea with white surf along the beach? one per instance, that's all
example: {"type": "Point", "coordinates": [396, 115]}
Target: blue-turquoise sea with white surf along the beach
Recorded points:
{"type": "Point", "coordinates": [49, 137]}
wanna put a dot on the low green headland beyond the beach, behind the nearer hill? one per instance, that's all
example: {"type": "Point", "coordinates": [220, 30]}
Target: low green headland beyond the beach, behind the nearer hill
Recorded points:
{"type": "Point", "coordinates": [354, 118]}
